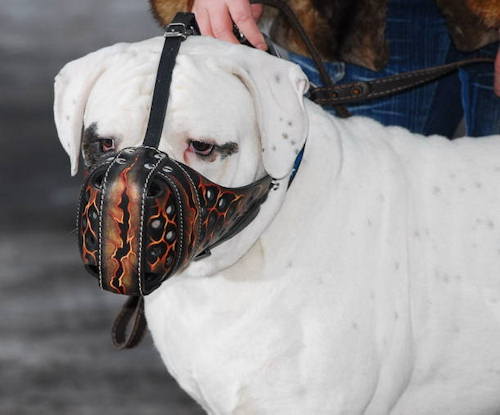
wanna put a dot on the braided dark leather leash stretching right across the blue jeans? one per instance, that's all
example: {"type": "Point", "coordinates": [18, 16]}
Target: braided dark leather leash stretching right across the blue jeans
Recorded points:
{"type": "Point", "coordinates": [354, 92]}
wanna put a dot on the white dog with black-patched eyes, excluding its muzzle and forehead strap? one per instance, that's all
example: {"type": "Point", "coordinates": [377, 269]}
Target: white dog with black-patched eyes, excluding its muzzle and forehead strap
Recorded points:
{"type": "Point", "coordinates": [370, 286]}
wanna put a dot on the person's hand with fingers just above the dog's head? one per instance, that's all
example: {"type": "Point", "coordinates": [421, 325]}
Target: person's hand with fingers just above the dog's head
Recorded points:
{"type": "Point", "coordinates": [215, 18]}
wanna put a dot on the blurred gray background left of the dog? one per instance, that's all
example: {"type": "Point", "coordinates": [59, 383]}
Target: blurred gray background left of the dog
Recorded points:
{"type": "Point", "coordinates": [55, 351]}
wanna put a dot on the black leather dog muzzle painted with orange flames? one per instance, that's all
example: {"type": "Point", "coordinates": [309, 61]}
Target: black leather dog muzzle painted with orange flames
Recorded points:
{"type": "Point", "coordinates": [144, 216]}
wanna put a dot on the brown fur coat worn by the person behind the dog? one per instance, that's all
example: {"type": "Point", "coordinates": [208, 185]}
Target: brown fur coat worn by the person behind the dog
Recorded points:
{"type": "Point", "coordinates": [353, 30]}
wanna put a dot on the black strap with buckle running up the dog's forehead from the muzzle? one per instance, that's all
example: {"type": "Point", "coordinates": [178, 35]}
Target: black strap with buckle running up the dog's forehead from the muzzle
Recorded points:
{"type": "Point", "coordinates": [183, 25]}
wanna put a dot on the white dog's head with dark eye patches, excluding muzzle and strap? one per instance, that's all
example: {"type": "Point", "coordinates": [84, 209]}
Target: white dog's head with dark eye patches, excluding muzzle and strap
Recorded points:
{"type": "Point", "coordinates": [234, 114]}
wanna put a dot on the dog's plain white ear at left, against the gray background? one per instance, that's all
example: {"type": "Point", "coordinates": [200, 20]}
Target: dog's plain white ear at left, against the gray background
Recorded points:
{"type": "Point", "coordinates": [72, 88]}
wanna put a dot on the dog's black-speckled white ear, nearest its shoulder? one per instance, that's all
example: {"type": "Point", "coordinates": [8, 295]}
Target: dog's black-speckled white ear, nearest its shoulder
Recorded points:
{"type": "Point", "coordinates": [277, 87]}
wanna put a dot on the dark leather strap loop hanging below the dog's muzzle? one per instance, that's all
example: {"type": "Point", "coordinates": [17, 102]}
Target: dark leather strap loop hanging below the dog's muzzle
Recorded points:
{"type": "Point", "coordinates": [132, 313]}
